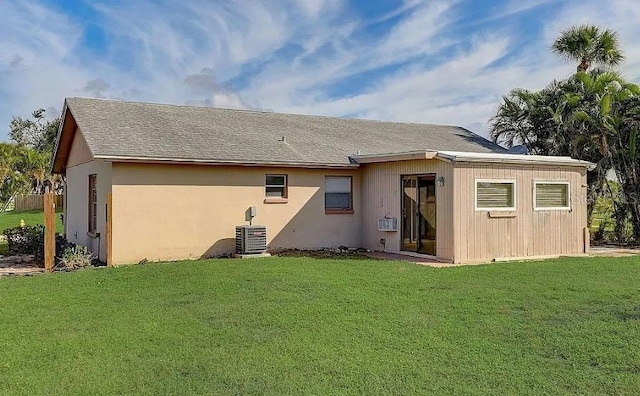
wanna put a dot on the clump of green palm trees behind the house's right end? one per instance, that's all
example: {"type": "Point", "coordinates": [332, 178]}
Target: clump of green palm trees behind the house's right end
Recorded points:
{"type": "Point", "coordinates": [593, 115]}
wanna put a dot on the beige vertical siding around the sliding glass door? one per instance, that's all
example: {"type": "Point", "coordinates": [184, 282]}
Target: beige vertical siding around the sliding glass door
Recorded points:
{"type": "Point", "coordinates": [381, 196]}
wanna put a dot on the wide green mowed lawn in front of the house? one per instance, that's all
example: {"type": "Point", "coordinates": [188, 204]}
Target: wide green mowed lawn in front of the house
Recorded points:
{"type": "Point", "coordinates": [309, 326]}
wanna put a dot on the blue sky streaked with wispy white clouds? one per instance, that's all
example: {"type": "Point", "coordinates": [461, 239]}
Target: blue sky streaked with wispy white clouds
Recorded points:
{"type": "Point", "coordinates": [444, 62]}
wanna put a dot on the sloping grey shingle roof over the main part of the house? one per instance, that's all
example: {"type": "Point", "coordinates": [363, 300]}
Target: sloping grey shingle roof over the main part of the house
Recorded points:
{"type": "Point", "coordinates": [157, 131]}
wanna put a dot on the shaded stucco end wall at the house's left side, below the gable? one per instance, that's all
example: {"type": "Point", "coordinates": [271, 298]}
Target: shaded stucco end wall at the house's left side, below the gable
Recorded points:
{"type": "Point", "coordinates": [76, 211]}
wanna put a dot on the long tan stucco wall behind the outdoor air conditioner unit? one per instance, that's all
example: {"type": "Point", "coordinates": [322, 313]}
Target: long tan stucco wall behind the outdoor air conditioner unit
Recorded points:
{"type": "Point", "coordinates": [170, 212]}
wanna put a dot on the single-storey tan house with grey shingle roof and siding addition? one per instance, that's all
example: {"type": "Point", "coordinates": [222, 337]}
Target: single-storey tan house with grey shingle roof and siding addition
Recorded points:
{"type": "Point", "coordinates": [163, 182]}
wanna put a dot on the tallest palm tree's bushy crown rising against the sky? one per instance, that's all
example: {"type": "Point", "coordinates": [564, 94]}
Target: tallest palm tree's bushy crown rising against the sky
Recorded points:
{"type": "Point", "coordinates": [589, 45]}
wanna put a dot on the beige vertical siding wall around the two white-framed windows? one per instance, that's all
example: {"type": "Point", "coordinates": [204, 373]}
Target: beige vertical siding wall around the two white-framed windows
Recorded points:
{"type": "Point", "coordinates": [479, 237]}
